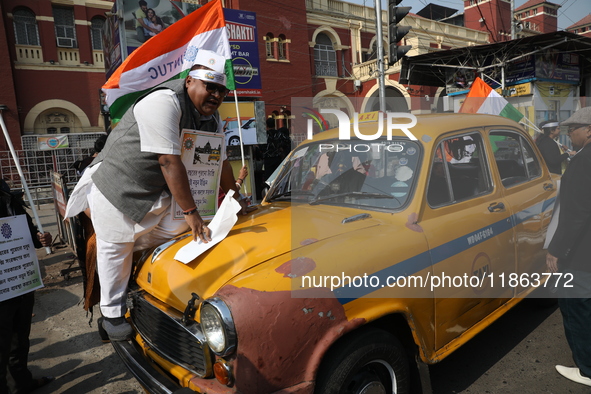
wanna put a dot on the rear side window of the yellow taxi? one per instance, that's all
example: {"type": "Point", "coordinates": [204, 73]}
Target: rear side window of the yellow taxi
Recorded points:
{"type": "Point", "coordinates": [515, 158]}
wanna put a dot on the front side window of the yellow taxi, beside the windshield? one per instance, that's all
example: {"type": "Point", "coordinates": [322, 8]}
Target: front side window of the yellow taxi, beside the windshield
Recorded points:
{"type": "Point", "coordinates": [458, 171]}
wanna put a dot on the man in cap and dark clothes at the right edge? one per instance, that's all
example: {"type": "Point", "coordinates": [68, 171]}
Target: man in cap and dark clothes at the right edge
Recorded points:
{"type": "Point", "coordinates": [570, 249]}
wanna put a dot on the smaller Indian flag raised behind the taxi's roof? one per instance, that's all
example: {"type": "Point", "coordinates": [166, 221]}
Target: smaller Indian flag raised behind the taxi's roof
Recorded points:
{"type": "Point", "coordinates": [482, 99]}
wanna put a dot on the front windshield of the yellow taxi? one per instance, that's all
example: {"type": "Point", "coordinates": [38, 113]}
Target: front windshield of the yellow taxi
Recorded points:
{"type": "Point", "coordinates": [379, 174]}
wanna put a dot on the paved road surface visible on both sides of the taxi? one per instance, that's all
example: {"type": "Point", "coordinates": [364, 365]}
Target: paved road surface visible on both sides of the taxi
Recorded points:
{"type": "Point", "coordinates": [516, 355]}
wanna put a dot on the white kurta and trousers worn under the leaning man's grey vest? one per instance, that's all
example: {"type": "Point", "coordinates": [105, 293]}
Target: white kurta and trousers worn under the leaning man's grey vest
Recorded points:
{"type": "Point", "coordinates": [158, 116]}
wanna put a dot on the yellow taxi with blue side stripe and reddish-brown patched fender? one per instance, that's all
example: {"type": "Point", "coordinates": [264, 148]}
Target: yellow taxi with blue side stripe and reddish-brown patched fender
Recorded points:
{"type": "Point", "coordinates": [367, 261]}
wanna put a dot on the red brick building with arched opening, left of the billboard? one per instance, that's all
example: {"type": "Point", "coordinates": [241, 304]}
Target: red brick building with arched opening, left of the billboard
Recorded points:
{"type": "Point", "coordinates": [54, 67]}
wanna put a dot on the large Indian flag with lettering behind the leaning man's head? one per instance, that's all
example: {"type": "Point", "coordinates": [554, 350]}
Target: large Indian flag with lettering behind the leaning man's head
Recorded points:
{"type": "Point", "coordinates": [169, 55]}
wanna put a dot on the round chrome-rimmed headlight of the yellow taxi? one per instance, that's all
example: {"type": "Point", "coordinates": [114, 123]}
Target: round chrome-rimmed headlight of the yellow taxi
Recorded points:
{"type": "Point", "coordinates": [218, 326]}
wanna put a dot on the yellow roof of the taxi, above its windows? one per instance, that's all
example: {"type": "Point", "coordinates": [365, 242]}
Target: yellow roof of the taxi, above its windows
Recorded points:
{"type": "Point", "coordinates": [429, 126]}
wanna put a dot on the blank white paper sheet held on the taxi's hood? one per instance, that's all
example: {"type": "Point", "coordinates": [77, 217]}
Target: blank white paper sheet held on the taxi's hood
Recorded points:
{"type": "Point", "coordinates": [220, 226]}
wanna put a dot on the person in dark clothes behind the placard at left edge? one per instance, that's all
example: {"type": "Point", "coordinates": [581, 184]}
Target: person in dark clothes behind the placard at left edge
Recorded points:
{"type": "Point", "coordinates": [16, 314]}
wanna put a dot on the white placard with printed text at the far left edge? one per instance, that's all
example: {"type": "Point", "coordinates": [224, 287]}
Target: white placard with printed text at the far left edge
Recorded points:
{"type": "Point", "coordinates": [19, 267]}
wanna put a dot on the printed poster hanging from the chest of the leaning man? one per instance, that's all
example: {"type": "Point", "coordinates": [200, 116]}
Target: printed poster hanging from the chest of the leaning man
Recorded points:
{"type": "Point", "coordinates": [201, 153]}
